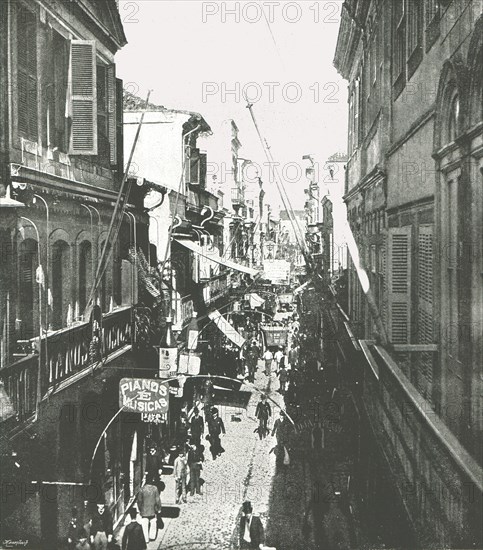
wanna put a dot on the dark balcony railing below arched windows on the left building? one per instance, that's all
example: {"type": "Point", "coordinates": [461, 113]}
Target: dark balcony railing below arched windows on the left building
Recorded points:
{"type": "Point", "coordinates": [63, 354]}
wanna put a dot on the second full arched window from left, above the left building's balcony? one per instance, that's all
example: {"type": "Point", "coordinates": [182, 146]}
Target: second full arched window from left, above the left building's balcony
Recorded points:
{"type": "Point", "coordinates": [61, 277]}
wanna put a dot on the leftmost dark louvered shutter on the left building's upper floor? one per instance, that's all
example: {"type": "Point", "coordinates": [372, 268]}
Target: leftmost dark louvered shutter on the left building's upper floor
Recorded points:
{"type": "Point", "coordinates": [27, 93]}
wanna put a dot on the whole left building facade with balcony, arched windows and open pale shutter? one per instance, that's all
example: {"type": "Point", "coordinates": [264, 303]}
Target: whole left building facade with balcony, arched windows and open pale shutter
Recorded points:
{"type": "Point", "coordinates": [67, 280]}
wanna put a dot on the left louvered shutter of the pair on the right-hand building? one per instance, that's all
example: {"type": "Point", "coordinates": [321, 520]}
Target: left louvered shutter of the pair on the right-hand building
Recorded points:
{"type": "Point", "coordinates": [399, 271]}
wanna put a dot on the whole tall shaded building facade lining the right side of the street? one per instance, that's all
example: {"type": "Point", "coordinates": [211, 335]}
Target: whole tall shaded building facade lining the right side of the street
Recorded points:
{"type": "Point", "coordinates": [414, 199]}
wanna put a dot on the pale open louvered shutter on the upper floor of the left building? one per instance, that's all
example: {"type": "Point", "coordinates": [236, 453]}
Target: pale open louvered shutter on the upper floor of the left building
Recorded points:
{"type": "Point", "coordinates": [83, 99]}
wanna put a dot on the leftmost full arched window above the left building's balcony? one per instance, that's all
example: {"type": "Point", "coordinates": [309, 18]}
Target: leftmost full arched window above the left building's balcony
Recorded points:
{"type": "Point", "coordinates": [28, 302]}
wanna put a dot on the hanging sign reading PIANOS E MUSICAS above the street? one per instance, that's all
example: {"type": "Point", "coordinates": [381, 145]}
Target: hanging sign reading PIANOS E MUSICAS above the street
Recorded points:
{"type": "Point", "coordinates": [143, 395]}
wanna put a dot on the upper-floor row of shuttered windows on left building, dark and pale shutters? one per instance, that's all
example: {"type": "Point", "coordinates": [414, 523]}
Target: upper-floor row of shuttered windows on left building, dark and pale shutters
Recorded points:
{"type": "Point", "coordinates": [81, 91]}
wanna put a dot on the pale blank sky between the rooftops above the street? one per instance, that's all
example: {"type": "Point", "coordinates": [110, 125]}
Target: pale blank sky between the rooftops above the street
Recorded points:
{"type": "Point", "coordinates": [192, 54]}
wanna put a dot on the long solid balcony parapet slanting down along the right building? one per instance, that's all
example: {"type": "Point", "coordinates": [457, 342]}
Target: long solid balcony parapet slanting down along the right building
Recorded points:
{"type": "Point", "coordinates": [439, 482]}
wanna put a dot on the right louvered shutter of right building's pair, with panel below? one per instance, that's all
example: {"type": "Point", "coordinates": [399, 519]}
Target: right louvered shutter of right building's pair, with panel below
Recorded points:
{"type": "Point", "coordinates": [425, 309]}
